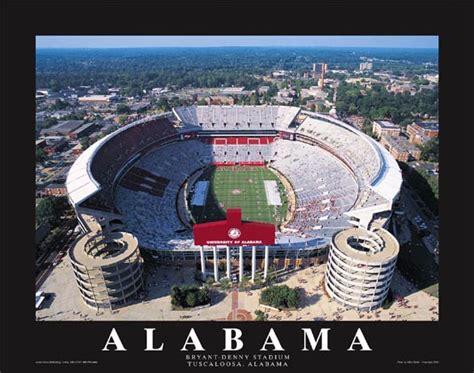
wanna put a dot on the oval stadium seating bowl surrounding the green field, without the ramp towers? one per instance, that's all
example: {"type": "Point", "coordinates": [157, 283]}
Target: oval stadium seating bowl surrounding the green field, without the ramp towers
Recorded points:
{"type": "Point", "coordinates": [207, 135]}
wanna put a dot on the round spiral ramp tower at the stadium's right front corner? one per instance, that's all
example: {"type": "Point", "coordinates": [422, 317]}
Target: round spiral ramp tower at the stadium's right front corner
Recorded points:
{"type": "Point", "coordinates": [360, 267]}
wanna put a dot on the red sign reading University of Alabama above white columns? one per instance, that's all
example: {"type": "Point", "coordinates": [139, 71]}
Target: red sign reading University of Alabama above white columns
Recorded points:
{"type": "Point", "coordinates": [234, 232]}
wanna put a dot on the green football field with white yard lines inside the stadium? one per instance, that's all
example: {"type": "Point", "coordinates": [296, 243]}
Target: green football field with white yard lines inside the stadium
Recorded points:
{"type": "Point", "coordinates": [239, 187]}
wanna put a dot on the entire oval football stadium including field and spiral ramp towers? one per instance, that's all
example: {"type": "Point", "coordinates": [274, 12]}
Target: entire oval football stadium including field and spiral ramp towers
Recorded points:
{"type": "Point", "coordinates": [310, 175]}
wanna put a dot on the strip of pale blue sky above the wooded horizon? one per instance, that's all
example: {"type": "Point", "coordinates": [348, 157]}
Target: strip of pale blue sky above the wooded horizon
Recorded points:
{"type": "Point", "coordinates": [394, 41]}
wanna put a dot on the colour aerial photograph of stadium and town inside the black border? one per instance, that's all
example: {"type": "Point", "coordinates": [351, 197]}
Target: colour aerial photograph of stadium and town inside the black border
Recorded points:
{"type": "Point", "coordinates": [237, 178]}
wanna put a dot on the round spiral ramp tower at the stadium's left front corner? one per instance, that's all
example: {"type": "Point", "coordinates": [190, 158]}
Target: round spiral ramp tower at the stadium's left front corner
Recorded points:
{"type": "Point", "coordinates": [108, 269]}
